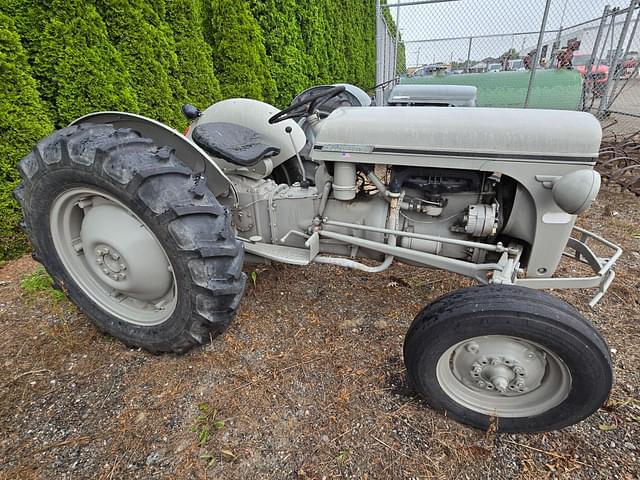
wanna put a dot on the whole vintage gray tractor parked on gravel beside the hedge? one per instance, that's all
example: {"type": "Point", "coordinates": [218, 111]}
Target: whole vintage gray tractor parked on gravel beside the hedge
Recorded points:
{"type": "Point", "coordinates": [147, 231]}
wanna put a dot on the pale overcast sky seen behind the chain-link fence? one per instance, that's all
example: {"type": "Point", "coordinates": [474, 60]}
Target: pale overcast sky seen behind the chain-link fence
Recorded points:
{"type": "Point", "coordinates": [465, 18]}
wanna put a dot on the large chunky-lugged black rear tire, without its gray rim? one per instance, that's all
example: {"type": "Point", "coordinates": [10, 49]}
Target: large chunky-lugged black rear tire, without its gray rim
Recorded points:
{"type": "Point", "coordinates": [193, 229]}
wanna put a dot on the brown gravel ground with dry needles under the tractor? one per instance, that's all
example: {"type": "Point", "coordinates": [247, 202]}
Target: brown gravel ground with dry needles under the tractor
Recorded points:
{"type": "Point", "coordinates": [308, 383]}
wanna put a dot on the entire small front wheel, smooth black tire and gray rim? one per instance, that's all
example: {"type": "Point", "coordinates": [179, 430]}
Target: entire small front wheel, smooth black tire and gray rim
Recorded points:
{"type": "Point", "coordinates": [510, 356]}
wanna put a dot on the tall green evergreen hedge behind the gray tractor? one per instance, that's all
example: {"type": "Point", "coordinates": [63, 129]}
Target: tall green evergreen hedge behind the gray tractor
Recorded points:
{"type": "Point", "coordinates": [60, 59]}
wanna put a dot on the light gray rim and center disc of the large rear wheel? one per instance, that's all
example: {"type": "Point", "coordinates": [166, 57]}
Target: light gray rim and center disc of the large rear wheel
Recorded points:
{"type": "Point", "coordinates": [113, 256]}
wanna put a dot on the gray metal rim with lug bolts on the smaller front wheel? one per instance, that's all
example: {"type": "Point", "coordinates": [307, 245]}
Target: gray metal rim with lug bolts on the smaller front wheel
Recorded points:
{"type": "Point", "coordinates": [503, 376]}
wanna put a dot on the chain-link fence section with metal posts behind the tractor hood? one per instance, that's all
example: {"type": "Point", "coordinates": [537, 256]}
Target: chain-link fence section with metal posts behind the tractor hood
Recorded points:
{"type": "Point", "coordinates": [557, 54]}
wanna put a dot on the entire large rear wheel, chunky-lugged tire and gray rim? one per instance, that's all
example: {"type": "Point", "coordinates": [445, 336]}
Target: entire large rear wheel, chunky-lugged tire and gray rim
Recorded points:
{"type": "Point", "coordinates": [114, 220]}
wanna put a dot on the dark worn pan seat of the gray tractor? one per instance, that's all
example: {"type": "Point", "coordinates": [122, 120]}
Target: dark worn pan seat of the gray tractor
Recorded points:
{"type": "Point", "coordinates": [234, 143]}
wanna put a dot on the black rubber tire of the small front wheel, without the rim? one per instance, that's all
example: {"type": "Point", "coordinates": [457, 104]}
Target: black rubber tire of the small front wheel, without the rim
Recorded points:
{"type": "Point", "coordinates": [520, 312]}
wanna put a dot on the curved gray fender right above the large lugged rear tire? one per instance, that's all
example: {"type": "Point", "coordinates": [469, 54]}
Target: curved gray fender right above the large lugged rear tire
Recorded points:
{"type": "Point", "coordinates": [187, 151]}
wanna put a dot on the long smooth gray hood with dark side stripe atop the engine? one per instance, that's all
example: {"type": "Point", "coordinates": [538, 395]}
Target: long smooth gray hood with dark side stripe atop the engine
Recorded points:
{"type": "Point", "coordinates": [492, 133]}
